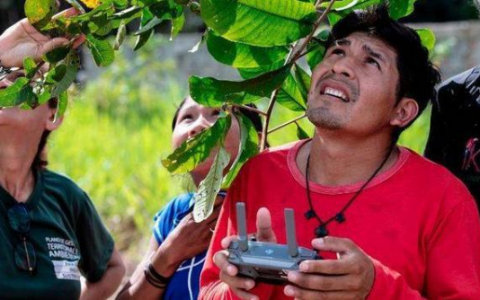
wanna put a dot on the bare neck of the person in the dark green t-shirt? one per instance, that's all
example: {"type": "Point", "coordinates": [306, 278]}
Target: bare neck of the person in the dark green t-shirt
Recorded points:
{"type": "Point", "coordinates": [16, 175]}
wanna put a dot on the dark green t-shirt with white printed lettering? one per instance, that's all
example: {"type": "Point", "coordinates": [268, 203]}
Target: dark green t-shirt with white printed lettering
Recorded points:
{"type": "Point", "coordinates": [67, 234]}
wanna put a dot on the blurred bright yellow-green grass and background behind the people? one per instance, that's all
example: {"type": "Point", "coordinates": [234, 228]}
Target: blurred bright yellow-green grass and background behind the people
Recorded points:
{"type": "Point", "coordinates": [113, 139]}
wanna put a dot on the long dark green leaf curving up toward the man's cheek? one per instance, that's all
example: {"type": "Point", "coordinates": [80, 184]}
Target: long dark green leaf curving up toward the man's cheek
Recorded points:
{"type": "Point", "coordinates": [214, 93]}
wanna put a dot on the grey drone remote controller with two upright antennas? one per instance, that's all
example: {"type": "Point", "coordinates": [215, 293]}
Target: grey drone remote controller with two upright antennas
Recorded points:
{"type": "Point", "coordinates": [267, 262]}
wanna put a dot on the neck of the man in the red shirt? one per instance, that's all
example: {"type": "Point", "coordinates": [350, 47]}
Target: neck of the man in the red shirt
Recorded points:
{"type": "Point", "coordinates": [337, 162]}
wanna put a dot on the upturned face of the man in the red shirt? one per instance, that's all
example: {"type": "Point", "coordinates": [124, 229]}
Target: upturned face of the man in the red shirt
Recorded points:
{"type": "Point", "coordinates": [354, 88]}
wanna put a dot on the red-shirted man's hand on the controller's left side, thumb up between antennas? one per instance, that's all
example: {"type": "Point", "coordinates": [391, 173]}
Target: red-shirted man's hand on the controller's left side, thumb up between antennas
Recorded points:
{"type": "Point", "coordinates": [228, 272]}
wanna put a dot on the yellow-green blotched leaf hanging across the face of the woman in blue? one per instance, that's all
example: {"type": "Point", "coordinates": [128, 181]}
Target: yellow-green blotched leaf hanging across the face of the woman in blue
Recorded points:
{"type": "Point", "coordinates": [194, 151]}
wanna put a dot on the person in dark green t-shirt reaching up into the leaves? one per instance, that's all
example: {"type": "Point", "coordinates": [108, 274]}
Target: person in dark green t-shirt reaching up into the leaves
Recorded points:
{"type": "Point", "coordinates": [50, 231]}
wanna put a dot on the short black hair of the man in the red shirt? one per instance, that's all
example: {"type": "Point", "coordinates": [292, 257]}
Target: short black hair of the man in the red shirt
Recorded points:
{"type": "Point", "coordinates": [418, 76]}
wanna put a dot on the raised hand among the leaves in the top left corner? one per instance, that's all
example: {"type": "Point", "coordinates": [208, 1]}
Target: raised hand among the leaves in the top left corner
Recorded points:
{"type": "Point", "coordinates": [22, 40]}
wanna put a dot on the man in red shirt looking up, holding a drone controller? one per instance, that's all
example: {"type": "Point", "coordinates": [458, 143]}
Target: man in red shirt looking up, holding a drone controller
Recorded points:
{"type": "Point", "coordinates": [388, 223]}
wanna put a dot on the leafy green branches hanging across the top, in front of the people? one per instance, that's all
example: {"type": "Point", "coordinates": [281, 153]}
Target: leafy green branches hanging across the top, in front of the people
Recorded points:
{"type": "Point", "coordinates": [263, 40]}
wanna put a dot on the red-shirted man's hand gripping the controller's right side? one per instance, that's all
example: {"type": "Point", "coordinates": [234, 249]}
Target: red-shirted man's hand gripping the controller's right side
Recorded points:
{"type": "Point", "coordinates": [349, 277]}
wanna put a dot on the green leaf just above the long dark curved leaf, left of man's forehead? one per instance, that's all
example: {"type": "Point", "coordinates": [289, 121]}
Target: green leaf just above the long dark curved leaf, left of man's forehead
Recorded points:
{"type": "Point", "coordinates": [239, 55]}
